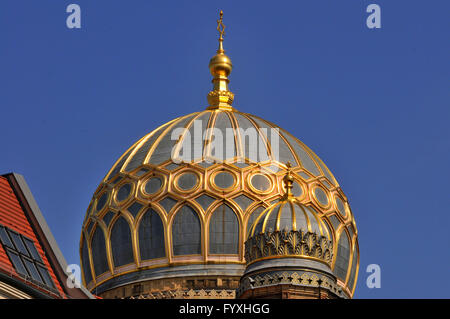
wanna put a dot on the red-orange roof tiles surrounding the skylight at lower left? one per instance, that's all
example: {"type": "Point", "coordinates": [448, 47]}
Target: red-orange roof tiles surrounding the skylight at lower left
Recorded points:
{"type": "Point", "coordinates": [13, 217]}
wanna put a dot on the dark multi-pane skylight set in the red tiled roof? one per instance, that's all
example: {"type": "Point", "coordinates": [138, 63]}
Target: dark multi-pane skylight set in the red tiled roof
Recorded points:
{"type": "Point", "coordinates": [24, 256]}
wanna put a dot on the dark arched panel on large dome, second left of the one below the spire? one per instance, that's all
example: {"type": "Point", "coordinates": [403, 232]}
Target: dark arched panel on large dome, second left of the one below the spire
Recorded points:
{"type": "Point", "coordinates": [151, 236]}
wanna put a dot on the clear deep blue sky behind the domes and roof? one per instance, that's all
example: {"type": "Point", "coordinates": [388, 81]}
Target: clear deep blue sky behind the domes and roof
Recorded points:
{"type": "Point", "coordinates": [373, 104]}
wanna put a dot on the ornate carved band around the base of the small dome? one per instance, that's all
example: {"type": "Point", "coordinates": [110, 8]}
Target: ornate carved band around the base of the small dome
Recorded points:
{"type": "Point", "coordinates": [288, 243]}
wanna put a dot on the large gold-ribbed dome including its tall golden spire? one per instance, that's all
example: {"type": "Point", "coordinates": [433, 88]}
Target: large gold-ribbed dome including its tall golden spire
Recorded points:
{"type": "Point", "coordinates": [178, 204]}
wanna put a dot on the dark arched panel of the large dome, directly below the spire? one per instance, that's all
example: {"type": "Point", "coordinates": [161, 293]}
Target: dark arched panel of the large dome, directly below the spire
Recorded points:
{"type": "Point", "coordinates": [224, 231]}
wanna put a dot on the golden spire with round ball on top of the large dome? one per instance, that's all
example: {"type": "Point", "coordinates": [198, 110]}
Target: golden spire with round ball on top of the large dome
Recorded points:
{"type": "Point", "coordinates": [220, 67]}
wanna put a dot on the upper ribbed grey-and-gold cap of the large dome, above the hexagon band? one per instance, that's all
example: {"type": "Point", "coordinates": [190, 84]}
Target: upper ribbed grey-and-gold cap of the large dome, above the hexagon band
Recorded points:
{"type": "Point", "coordinates": [156, 147]}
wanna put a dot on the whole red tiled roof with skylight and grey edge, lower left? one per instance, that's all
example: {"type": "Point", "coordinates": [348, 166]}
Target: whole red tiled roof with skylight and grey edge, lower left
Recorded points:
{"type": "Point", "coordinates": [21, 222]}
